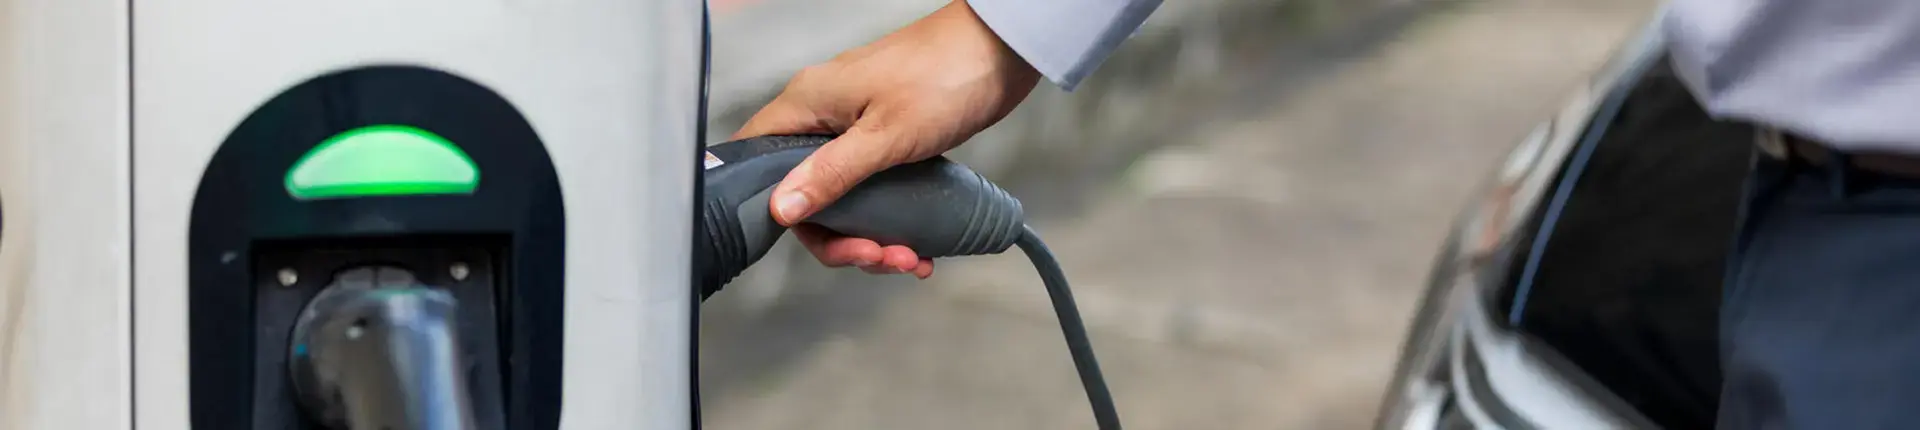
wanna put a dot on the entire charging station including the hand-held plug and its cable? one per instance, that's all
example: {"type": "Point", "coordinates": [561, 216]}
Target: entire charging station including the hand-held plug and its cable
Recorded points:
{"type": "Point", "coordinates": [396, 216]}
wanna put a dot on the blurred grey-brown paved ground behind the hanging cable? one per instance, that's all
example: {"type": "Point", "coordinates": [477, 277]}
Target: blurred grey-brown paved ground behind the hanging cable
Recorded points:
{"type": "Point", "coordinates": [1257, 277]}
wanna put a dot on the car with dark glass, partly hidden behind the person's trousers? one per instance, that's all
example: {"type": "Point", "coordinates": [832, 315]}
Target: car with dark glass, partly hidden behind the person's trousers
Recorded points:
{"type": "Point", "coordinates": [1581, 289]}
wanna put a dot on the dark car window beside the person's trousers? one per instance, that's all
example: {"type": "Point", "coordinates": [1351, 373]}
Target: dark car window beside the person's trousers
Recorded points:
{"type": "Point", "coordinates": [1627, 281]}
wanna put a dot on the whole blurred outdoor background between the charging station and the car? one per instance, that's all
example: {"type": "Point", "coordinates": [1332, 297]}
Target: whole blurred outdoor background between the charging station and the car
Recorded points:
{"type": "Point", "coordinates": [1247, 201]}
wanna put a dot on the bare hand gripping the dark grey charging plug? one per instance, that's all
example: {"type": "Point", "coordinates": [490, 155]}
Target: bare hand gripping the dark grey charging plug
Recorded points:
{"type": "Point", "coordinates": [907, 97]}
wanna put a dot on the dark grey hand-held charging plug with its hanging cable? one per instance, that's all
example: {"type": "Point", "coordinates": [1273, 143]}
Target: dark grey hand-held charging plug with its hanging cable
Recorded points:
{"type": "Point", "coordinates": [938, 208]}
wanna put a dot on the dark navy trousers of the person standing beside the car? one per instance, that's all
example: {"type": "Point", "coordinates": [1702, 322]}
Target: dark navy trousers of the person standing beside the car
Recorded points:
{"type": "Point", "coordinates": [1821, 322]}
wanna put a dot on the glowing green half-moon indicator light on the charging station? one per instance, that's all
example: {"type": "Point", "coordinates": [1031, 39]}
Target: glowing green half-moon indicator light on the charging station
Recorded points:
{"type": "Point", "coordinates": [383, 160]}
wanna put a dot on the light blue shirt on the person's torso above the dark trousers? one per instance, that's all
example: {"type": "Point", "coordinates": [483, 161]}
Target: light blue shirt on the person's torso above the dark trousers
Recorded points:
{"type": "Point", "coordinates": [1844, 72]}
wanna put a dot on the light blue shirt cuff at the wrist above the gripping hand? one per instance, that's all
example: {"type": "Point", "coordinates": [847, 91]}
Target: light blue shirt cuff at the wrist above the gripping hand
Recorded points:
{"type": "Point", "coordinates": [1065, 39]}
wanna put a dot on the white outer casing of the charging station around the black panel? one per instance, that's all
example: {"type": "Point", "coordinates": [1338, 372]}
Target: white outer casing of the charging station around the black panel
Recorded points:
{"type": "Point", "coordinates": [112, 110]}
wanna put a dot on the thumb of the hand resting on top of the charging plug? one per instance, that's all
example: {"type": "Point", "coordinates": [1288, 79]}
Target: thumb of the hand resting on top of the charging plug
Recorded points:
{"type": "Point", "coordinates": [832, 172]}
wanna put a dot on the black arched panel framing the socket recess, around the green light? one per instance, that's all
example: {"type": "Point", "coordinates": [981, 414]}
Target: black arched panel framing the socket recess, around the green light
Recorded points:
{"type": "Point", "coordinates": [243, 208]}
